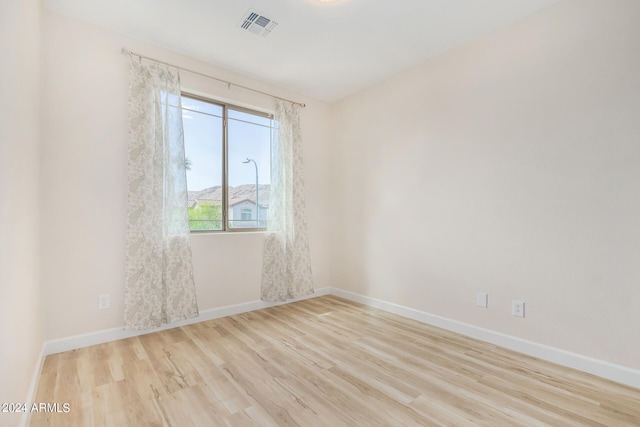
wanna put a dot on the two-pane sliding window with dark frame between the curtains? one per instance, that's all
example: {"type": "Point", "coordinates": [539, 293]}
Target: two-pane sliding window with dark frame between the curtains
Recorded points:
{"type": "Point", "coordinates": [228, 162]}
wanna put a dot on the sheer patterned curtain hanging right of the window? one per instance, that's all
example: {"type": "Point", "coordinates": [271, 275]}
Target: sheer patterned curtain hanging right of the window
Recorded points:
{"type": "Point", "coordinates": [286, 269]}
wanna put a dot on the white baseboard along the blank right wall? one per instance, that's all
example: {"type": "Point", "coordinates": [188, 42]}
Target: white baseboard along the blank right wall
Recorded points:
{"type": "Point", "coordinates": [611, 371]}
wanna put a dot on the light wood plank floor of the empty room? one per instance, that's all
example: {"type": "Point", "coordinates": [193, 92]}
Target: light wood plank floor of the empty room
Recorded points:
{"type": "Point", "coordinates": [321, 362]}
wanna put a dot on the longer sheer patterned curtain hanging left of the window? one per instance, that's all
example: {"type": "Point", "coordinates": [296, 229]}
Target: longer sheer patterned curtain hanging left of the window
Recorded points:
{"type": "Point", "coordinates": [159, 284]}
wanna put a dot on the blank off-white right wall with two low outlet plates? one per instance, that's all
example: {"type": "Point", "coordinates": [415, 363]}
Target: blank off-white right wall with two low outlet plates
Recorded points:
{"type": "Point", "coordinates": [517, 159]}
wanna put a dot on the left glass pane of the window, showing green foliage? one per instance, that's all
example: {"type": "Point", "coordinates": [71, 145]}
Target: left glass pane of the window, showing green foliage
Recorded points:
{"type": "Point", "coordinates": [203, 134]}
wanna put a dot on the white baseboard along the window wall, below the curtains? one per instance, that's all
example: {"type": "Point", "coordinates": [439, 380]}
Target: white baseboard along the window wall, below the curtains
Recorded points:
{"type": "Point", "coordinates": [107, 335]}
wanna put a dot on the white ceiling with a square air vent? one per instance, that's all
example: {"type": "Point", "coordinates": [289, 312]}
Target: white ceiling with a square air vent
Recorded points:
{"type": "Point", "coordinates": [323, 50]}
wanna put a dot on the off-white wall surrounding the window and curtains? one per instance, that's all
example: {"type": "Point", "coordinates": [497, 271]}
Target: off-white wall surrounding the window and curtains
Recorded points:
{"type": "Point", "coordinates": [84, 169]}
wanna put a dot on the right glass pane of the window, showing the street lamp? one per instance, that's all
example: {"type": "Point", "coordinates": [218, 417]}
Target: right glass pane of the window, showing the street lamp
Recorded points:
{"type": "Point", "coordinates": [249, 172]}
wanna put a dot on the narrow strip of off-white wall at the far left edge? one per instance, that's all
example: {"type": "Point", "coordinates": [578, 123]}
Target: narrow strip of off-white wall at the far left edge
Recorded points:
{"type": "Point", "coordinates": [20, 308]}
